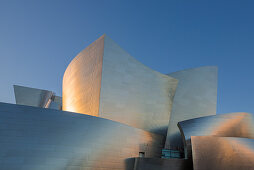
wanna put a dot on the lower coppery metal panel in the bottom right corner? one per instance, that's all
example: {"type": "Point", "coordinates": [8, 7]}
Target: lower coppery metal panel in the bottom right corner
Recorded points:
{"type": "Point", "coordinates": [222, 153]}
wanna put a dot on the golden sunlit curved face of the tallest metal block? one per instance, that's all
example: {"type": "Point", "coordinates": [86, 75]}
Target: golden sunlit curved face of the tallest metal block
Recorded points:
{"type": "Point", "coordinates": [82, 80]}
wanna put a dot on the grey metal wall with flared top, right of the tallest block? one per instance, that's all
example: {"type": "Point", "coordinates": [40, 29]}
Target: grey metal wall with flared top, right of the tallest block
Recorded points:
{"type": "Point", "coordinates": [196, 96]}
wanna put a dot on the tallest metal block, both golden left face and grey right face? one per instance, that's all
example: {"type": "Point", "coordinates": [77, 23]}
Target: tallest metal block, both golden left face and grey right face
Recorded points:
{"type": "Point", "coordinates": [105, 81]}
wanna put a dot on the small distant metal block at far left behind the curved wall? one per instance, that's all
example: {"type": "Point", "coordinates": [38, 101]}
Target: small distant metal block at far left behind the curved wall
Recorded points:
{"type": "Point", "coordinates": [37, 97]}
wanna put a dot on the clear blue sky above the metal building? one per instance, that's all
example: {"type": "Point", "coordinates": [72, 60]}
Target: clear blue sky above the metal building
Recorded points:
{"type": "Point", "coordinates": [38, 39]}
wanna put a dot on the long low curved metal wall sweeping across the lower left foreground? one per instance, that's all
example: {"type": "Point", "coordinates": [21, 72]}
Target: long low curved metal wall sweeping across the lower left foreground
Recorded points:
{"type": "Point", "coordinates": [33, 138]}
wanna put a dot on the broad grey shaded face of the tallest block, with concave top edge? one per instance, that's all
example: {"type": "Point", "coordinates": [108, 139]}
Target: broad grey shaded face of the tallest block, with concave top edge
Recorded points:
{"type": "Point", "coordinates": [132, 93]}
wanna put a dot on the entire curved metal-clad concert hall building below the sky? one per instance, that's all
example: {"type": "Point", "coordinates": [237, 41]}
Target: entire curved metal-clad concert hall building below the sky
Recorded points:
{"type": "Point", "coordinates": [117, 114]}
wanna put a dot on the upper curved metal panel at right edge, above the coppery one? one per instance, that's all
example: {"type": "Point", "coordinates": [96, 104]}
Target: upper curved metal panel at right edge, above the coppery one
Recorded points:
{"type": "Point", "coordinates": [225, 125]}
